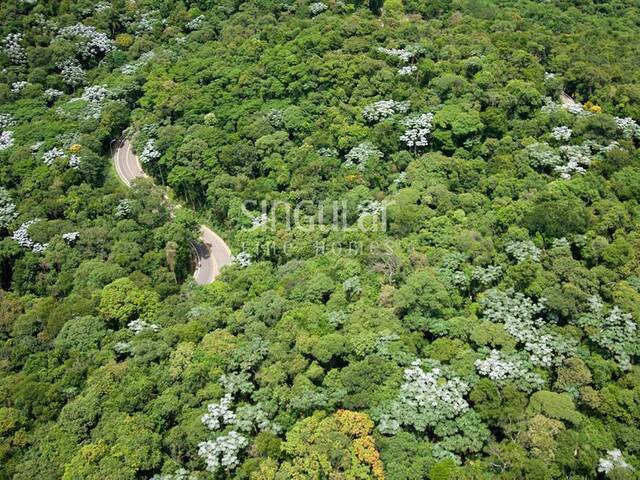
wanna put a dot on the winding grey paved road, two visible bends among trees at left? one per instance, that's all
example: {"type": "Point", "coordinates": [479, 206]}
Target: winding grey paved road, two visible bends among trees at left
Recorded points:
{"type": "Point", "coordinates": [211, 252]}
